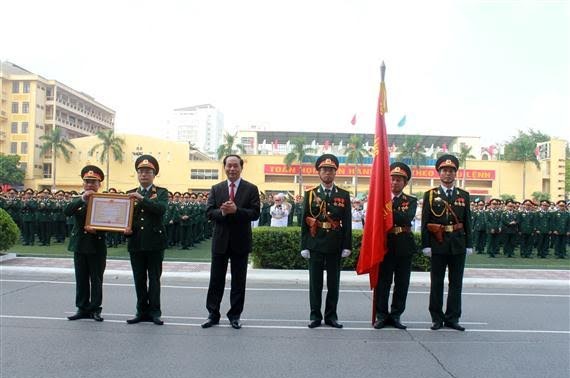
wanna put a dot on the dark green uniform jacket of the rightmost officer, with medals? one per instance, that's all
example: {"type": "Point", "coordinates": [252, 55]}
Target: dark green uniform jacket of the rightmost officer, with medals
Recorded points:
{"type": "Point", "coordinates": [434, 211]}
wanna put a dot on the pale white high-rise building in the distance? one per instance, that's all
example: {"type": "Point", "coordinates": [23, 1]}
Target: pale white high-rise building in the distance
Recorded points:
{"type": "Point", "coordinates": [201, 125]}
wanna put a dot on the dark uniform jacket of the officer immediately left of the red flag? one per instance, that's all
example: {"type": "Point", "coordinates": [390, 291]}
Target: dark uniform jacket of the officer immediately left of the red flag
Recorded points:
{"type": "Point", "coordinates": [338, 208]}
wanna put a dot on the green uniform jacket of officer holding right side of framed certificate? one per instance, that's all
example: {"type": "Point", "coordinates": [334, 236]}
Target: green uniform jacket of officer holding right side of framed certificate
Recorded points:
{"type": "Point", "coordinates": [149, 231]}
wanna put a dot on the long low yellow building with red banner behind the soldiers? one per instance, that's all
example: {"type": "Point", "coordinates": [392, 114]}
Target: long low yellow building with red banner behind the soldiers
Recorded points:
{"type": "Point", "coordinates": [184, 170]}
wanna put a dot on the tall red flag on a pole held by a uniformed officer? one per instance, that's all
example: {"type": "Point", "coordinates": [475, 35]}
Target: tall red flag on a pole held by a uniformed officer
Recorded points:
{"type": "Point", "coordinates": [379, 214]}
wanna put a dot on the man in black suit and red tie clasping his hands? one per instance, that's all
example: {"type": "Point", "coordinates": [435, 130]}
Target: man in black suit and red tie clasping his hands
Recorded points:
{"type": "Point", "coordinates": [232, 205]}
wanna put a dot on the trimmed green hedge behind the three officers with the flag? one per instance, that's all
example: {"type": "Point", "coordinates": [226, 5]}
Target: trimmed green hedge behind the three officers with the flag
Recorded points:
{"type": "Point", "coordinates": [279, 248]}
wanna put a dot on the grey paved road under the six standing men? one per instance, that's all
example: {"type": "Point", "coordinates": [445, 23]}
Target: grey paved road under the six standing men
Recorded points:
{"type": "Point", "coordinates": [511, 332]}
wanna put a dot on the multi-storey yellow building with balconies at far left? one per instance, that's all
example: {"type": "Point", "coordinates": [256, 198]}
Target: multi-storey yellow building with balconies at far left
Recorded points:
{"type": "Point", "coordinates": [31, 106]}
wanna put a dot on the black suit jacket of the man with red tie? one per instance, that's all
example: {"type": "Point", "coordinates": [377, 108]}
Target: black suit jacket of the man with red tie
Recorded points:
{"type": "Point", "coordinates": [233, 228]}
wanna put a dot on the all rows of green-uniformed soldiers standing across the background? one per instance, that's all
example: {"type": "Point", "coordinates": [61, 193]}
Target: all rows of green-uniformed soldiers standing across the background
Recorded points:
{"type": "Point", "coordinates": [499, 227]}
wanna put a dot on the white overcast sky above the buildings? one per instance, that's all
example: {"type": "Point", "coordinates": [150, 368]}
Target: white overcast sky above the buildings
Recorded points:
{"type": "Point", "coordinates": [468, 68]}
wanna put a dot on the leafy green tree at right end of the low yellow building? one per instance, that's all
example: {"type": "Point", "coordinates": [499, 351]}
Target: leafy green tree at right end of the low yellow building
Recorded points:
{"type": "Point", "coordinates": [523, 148]}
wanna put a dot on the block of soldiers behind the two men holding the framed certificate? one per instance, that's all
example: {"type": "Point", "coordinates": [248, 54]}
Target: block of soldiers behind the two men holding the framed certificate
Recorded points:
{"type": "Point", "coordinates": [40, 218]}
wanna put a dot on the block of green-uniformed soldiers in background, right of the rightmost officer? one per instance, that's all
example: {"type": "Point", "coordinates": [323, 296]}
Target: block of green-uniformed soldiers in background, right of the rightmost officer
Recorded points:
{"type": "Point", "coordinates": [533, 228]}
